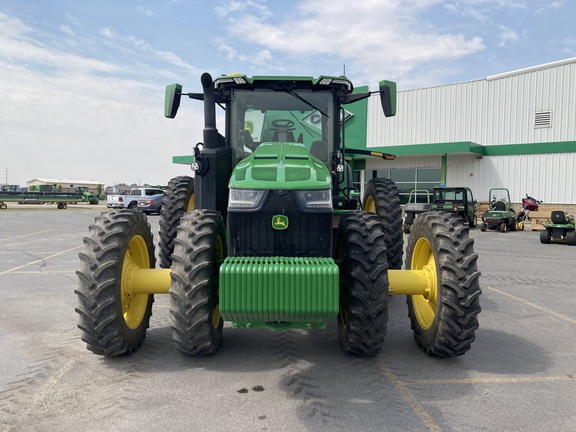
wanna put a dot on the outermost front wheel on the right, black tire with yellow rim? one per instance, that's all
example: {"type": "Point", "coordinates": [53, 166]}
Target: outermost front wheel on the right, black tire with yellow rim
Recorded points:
{"type": "Point", "coordinates": [444, 322]}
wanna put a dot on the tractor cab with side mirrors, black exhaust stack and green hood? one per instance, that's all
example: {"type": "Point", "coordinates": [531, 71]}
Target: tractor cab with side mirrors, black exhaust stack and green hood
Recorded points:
{"type": "Point", "coordinates": [281, 133]}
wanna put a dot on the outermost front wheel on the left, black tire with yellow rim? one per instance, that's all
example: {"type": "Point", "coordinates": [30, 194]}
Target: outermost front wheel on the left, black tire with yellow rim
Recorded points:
{"type": "Point", "coordinates": [113, 320]}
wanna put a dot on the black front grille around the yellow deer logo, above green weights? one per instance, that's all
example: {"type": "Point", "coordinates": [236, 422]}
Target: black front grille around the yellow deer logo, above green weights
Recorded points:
{"type": "Point", "coordinates": [307, 235]}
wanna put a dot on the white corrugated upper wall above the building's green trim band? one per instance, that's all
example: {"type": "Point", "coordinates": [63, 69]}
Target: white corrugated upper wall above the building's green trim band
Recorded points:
{"type": "Point", "coordinates": [492, 111]}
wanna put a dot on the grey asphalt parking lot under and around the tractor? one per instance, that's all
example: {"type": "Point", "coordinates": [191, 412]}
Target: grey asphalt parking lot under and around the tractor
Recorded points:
{"type": "Point", "coordinates": [520, 374]}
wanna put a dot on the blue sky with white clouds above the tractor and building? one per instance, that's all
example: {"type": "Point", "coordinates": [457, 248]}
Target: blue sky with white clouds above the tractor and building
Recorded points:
{"type": "Point", "coordinates": [82, 82]}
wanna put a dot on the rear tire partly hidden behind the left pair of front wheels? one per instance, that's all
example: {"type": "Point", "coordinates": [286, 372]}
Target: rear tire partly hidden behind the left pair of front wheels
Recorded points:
{"type": "Point", "coordinates": [178, 199]}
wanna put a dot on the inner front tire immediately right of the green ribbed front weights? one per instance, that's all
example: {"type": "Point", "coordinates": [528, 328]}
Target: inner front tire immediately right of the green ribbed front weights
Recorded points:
{"type": "Point", "coordinates": [363, 315]}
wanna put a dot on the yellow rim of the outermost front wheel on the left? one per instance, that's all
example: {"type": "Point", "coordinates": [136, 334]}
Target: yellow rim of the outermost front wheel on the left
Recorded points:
{"type": "Point", "coordinates": [134, 305]}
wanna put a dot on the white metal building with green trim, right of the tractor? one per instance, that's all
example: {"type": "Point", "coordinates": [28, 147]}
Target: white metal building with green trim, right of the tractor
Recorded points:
{"type": "Point", "coordinates": [515, 130]}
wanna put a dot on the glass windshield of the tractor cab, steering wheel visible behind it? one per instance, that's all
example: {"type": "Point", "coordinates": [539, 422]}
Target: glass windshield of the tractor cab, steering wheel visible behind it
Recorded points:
{"type": "Point", "coordinates": [272, 116]}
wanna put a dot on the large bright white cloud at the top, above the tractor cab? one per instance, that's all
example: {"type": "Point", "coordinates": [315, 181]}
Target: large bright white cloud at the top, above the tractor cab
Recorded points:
{"type": "Point", "coordinates": [376, 36]}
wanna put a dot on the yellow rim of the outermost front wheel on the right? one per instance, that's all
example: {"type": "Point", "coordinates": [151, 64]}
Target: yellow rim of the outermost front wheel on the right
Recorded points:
{"type": "Point", "coordinates": [425, 305]}
